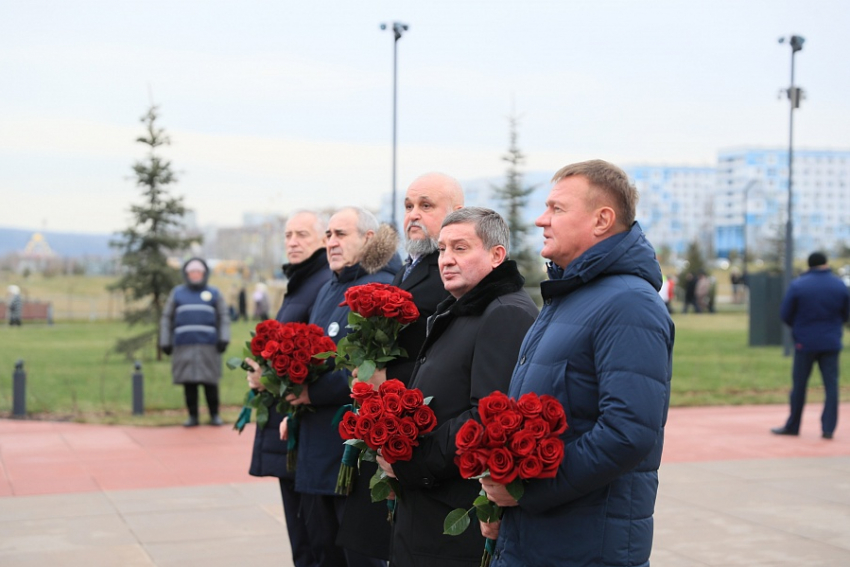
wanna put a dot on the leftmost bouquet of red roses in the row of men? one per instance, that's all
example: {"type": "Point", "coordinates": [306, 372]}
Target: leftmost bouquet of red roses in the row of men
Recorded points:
{"type": "Point", "coordinates": [289, 357]}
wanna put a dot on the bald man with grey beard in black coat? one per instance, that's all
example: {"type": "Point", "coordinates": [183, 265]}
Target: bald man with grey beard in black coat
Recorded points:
{"type": "Point", "coordinates": [427, 202]}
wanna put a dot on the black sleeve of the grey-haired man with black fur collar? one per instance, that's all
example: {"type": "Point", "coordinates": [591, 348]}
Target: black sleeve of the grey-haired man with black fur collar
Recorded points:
{"type": "Point", "coordinates": [496, 347]}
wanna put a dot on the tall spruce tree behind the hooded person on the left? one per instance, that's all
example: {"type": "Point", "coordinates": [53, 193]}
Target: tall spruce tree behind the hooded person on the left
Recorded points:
{"type": "Point", "coordinates": [157, 222]}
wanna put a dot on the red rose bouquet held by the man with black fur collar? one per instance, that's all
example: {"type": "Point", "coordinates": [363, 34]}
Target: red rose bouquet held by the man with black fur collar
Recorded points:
{"type": "Point", "coordinates": [389, 419]}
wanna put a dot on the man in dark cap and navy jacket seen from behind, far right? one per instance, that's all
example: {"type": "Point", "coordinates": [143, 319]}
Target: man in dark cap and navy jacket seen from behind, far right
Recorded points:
{"type": "Point", "coordinates": [816, 307]}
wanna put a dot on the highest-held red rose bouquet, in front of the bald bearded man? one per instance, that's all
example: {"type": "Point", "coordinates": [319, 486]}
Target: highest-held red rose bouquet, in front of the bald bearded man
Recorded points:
{"type": "Point", "coordinates": [378, 312]}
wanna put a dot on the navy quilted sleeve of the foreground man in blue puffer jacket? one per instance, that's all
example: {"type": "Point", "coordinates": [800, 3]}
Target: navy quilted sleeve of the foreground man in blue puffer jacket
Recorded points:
{"type": "Point", "coordinates": [632, 354]}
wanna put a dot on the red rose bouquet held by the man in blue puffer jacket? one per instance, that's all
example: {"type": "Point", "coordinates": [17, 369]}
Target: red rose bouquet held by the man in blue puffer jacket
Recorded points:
{"type": "Point", "coordinates": [516, 440]}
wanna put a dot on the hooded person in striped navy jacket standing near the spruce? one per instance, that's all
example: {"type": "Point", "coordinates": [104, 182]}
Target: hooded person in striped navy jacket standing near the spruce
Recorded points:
{"type": "Point", "coordinates": [195, 329]}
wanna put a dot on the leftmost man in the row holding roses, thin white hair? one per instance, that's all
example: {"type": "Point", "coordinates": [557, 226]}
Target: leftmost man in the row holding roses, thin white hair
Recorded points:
{"type": "Point", "coordinates": [307, 272]}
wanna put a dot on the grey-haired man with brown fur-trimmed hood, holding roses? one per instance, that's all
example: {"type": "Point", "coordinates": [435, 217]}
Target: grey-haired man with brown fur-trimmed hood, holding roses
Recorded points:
{"type": "Point", "coordinates": [359, 252]}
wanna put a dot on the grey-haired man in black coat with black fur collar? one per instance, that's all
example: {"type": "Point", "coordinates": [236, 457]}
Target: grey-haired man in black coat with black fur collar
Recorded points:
{"type": "Point", "coordinates": [471, 347]}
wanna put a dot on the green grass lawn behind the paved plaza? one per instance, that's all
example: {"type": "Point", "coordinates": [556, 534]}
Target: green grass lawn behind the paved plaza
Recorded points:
{"type": "Point", "coordinates": [72, 373]}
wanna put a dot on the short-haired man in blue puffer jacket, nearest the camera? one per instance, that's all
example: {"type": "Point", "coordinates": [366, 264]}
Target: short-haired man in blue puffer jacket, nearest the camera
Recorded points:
{"type": "Point", "coordinates": [602, 345]}
